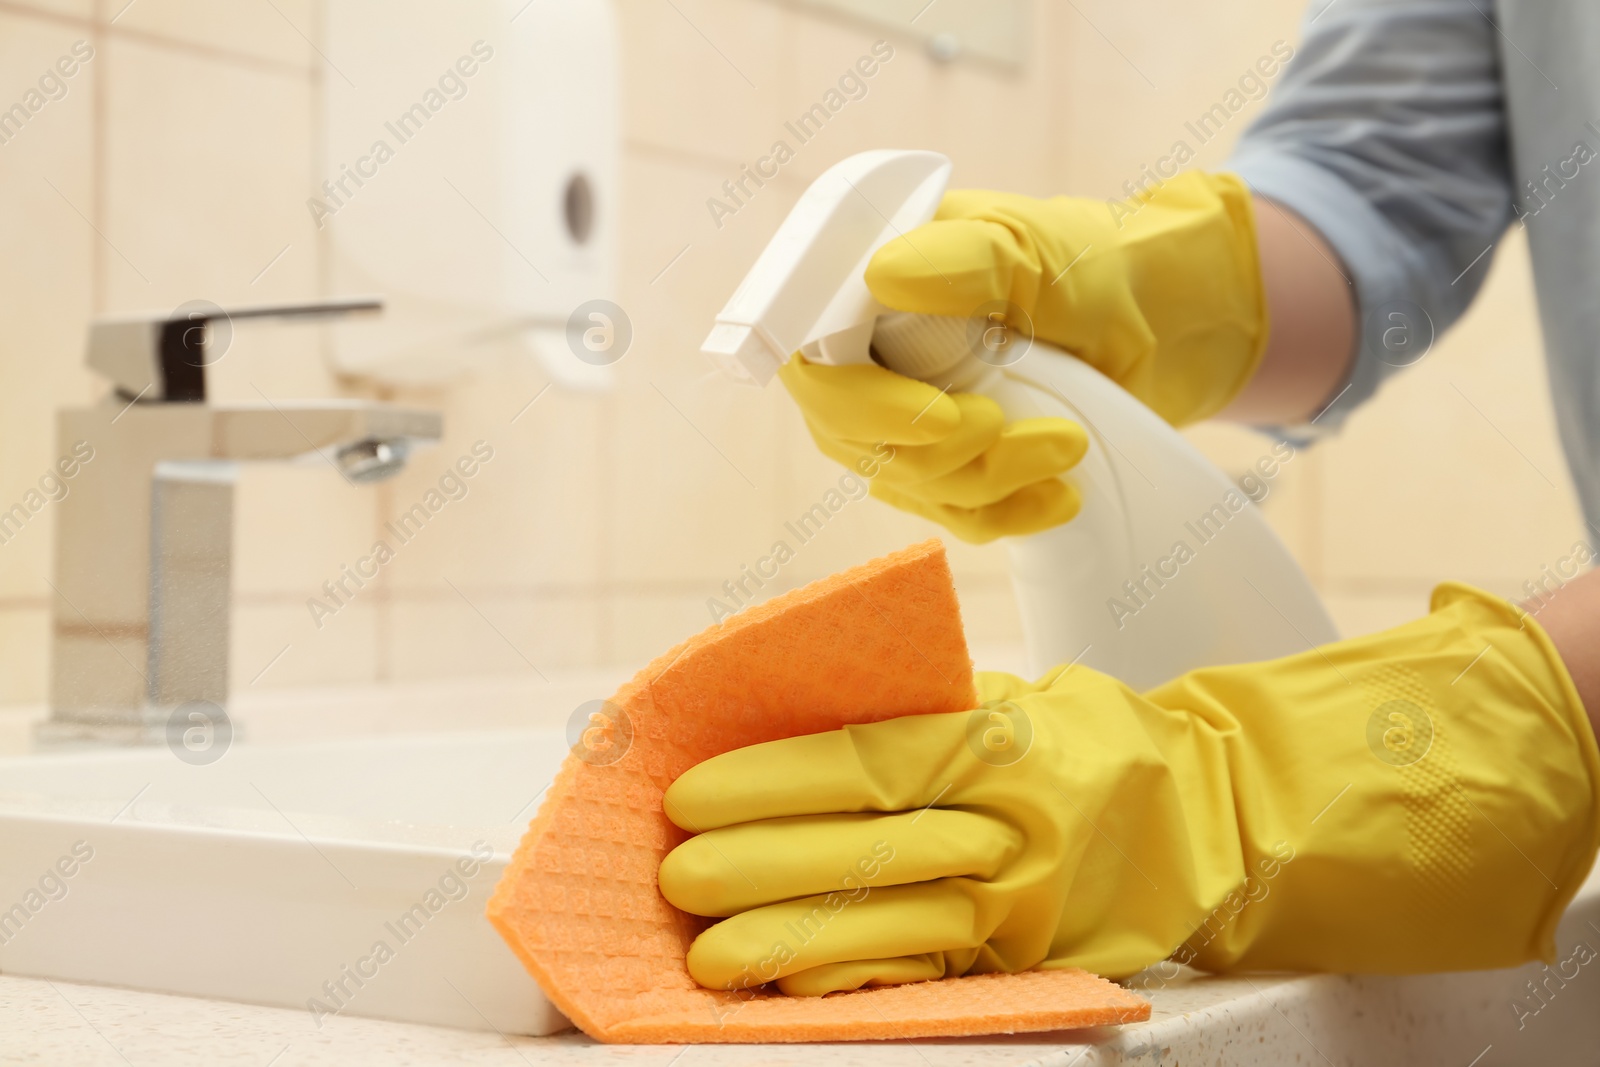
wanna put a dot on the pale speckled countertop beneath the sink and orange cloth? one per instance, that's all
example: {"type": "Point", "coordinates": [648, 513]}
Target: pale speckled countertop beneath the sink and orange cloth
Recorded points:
{"type": "Point", "coordinates": [1450, 1020]}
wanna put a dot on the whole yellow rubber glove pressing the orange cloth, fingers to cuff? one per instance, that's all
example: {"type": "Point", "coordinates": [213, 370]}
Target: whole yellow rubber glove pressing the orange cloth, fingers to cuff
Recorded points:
{"type": "Point", "coordinates": [1415, 801]}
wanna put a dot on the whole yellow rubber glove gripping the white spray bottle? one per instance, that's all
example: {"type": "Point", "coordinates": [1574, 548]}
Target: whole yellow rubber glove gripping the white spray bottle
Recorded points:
{"type": "Point", "coordinates": [1162, 295]}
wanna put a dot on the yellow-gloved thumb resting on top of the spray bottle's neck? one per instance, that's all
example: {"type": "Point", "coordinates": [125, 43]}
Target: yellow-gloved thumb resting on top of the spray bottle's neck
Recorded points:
{"type": "Point", "coordinates": [954, 268]}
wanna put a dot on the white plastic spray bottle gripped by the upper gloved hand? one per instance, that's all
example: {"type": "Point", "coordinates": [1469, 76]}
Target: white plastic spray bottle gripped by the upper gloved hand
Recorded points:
{"type": "Point", "coordinates": [1169, 565]}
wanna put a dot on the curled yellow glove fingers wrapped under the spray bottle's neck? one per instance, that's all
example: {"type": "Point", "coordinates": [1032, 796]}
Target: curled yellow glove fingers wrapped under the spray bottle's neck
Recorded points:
{"type": "Point", "coordinates": [954, 458]}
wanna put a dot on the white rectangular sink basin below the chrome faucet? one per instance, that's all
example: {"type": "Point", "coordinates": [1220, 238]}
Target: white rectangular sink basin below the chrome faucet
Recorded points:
{"type": "Point", "coordinates": [340, 877]}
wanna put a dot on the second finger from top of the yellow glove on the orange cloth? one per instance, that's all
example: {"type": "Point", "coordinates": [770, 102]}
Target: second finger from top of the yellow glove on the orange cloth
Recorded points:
{"type": "Point", "coordinates": [751, 865]}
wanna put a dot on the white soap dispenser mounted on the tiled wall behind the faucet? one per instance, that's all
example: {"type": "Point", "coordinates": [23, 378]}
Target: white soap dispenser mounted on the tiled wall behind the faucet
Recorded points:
{"type": "Point", "coordinates": [468, 170]}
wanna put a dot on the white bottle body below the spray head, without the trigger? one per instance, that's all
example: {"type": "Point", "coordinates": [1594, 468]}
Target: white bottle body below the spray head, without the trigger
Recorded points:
{"type": "Point", "coordinates": [1169, 565]}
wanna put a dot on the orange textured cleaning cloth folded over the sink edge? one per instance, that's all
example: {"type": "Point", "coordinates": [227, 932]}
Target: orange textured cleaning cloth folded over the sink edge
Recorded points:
{"type": "Point", "coordinates": [580, 905]}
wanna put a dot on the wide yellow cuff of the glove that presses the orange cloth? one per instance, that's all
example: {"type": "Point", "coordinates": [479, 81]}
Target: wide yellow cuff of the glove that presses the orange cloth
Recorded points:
{"type": "Point", "coordinates": [1436, 785]}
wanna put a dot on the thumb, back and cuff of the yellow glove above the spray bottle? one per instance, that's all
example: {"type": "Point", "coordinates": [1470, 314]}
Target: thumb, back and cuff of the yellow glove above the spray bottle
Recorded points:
{"type": "Point", "coordinates": [1162, 295]}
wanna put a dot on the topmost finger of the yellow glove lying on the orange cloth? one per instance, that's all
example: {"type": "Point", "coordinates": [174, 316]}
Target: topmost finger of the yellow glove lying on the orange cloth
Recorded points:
{"type": "Point", "coordinates": [857, 769]}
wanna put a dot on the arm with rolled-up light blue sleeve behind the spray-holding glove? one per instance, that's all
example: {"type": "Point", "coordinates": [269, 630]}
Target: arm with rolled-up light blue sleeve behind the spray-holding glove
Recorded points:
{"type": "Point", "coordinates": [1382, 180]}
